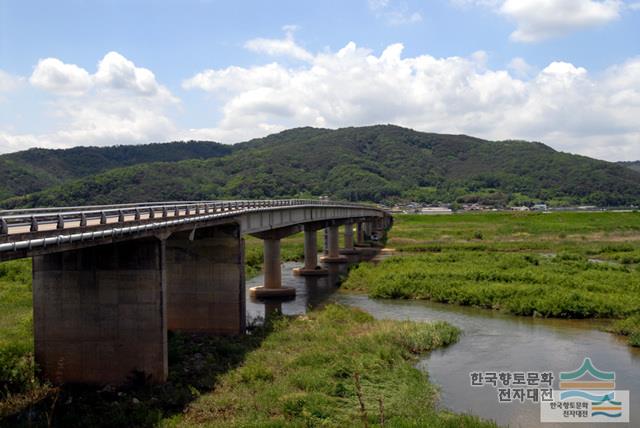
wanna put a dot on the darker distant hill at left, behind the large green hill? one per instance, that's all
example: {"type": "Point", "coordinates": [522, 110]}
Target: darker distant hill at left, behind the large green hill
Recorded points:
{"type": "Point", "coordinates": [37, 169]}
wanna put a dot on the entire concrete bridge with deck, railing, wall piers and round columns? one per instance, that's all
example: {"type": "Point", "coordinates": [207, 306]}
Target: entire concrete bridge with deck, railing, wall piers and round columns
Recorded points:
{"type": "Point", "coordinates": [109, 281]}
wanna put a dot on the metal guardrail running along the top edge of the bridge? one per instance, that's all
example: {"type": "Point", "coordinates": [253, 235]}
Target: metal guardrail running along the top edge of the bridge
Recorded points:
{"type": "Point", "coordinates": [51, 219]}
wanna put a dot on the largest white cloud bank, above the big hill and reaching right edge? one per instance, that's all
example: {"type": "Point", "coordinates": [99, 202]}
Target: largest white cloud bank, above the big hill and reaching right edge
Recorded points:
{"type": "Point", "coordinates": [562, 105]}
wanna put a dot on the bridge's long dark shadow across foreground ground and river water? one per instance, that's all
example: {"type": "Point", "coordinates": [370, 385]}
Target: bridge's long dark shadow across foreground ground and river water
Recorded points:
{"type": "Point", "coordinates": [196, 364]}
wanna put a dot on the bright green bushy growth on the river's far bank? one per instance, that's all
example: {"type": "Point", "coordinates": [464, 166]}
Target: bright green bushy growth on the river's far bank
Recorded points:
{"type": "Point", "coordinates": [562, 286]}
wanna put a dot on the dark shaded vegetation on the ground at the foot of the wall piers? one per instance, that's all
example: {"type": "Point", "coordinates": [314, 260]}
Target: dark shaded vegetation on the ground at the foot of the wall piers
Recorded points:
{"type": "Point", "coordinates": [196, 363]}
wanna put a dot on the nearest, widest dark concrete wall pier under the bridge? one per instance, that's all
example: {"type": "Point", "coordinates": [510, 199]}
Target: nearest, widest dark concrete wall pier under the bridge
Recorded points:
{"type": "Point", "coordinates": [100, 314]}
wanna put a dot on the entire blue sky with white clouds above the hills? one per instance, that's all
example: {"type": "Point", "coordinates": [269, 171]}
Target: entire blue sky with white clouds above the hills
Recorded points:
{"type": "Point", "coordinates": [105, 72]}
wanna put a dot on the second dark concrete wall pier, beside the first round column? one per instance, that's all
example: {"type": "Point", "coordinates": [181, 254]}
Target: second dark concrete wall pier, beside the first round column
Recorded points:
{"type": "Point", "coordinates": [205, 281]}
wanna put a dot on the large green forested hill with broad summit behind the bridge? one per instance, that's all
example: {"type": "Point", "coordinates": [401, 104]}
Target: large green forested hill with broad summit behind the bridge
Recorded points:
{"type": "Point", "coordinates": [376, 163]}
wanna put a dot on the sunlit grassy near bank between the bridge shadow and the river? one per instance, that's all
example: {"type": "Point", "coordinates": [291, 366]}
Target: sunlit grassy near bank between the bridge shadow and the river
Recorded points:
{"type": "Point", "coordinates": [335, 367]}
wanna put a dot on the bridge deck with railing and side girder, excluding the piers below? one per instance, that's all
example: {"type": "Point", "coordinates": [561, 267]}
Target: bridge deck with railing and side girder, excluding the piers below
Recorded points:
{"type": "Point", "coordinates": [38, 231]}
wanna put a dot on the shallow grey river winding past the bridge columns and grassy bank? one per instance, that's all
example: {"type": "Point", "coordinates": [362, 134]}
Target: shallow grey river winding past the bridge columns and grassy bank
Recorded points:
{"type": "Point", "coordinates": [491, 341]}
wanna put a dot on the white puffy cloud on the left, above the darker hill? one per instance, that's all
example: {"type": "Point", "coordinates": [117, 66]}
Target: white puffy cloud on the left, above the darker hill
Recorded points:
{"type": "Point", "coordinates": [118, 104]}
